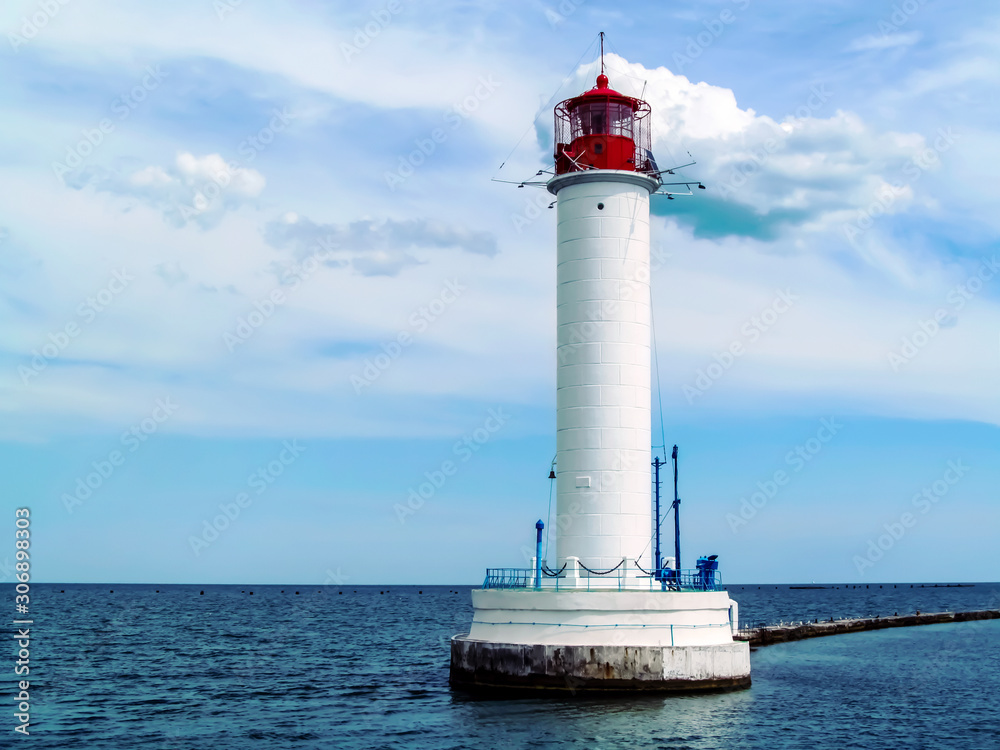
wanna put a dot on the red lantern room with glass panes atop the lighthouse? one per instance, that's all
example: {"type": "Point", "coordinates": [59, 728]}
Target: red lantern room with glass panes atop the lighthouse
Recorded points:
{"type": "Point", "coordinates": [602, 129]}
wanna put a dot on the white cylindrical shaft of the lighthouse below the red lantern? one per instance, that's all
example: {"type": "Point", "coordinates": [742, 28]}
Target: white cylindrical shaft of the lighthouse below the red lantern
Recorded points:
{"type": "Point", "coordinates": [603, 368]}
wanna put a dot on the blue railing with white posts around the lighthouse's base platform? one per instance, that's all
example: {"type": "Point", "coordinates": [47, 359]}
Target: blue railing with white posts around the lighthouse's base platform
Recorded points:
{"type": "Point", "coordinates": [624, 578]}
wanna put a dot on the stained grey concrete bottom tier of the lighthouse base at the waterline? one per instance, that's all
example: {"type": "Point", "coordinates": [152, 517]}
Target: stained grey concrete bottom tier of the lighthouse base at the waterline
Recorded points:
{"type": "Point", "coordinates": [483, 665]}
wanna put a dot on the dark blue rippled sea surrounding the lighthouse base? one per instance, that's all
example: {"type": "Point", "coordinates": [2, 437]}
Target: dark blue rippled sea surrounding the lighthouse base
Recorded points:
{"type": "Point", "coordinates": [161, 666]}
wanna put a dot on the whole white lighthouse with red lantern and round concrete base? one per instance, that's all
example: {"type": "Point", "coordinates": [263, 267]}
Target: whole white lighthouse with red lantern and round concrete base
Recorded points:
{"type": "Point", "coordinates": [604, 615]}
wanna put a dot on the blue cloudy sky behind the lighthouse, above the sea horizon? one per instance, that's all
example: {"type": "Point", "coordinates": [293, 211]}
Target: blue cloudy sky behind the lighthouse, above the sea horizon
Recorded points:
{"type": "Point", "coordinates": [265, 270]}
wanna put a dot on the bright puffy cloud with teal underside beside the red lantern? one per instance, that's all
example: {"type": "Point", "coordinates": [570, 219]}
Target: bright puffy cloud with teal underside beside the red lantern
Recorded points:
{"type": "Point", "coordinates": [810, 169]}
